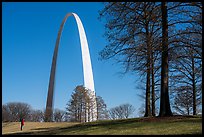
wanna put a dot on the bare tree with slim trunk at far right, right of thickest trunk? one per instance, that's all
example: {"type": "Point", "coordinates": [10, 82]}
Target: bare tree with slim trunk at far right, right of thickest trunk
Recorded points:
{"type": "Point", "coordinates": [186, 50]}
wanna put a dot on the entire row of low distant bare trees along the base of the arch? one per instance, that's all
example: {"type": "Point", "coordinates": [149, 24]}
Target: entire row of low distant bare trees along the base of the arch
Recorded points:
{"type": "Point", "coordinates": [77, 110]}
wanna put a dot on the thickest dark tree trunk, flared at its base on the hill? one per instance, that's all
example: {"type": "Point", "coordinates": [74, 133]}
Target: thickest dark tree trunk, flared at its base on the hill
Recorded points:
{"type": "Point", "coordinates": [165, 109]}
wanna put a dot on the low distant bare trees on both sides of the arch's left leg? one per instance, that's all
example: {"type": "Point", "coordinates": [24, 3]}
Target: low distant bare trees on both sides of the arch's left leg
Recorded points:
{"type": "Point", "coordinates": [14, 111]}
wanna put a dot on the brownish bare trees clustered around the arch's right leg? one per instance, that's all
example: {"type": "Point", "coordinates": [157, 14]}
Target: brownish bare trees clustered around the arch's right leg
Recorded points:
{"type": "Point", "coordinates": [77, 107]}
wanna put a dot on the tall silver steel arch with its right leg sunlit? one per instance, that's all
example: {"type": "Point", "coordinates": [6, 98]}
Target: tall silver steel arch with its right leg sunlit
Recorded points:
{"type": "Point", "coordinates": [87, 70]}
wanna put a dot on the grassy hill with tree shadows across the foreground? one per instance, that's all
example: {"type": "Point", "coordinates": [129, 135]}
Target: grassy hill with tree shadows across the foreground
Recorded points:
{"type": "Point", "coordinates": [176, 125]}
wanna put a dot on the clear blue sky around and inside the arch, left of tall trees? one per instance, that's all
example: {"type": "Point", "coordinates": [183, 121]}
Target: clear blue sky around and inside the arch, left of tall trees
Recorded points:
{"type": "Point", "coordinates": [29, 32]}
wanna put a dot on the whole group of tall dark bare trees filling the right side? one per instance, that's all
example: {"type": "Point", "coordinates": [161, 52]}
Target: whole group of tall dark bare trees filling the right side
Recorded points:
{"type": "Point", "coordinates": [160, 41]}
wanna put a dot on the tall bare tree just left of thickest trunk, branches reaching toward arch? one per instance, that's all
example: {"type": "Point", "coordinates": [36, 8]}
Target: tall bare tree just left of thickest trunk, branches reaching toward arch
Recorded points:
{"type": "Point", "coordinates": [133, 31]}
